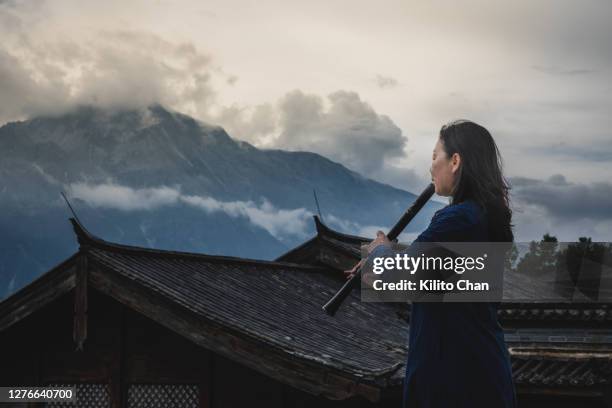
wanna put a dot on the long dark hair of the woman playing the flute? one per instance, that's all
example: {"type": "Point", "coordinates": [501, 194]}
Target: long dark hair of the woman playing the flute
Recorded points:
{"type": "Point", "coordinates": [480, 175]}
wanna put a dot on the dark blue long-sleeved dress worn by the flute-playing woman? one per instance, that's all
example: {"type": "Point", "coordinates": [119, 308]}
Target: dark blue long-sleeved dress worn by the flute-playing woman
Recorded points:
{"type": "Point", "coordinates": [457, 356]}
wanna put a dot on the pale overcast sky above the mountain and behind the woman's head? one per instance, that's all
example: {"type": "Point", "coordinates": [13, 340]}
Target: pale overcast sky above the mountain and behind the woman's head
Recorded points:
{"type": "Point", "coordinates": [368, 84]}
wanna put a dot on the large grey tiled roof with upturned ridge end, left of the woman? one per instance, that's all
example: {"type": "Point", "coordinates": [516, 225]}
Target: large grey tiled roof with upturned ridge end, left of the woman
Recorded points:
{"type": "Point", "coordinates": [264, 314]}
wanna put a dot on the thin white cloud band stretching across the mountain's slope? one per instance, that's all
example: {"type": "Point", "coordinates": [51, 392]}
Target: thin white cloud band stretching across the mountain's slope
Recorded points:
{"type": "Point", "coordinates": [278, 222]}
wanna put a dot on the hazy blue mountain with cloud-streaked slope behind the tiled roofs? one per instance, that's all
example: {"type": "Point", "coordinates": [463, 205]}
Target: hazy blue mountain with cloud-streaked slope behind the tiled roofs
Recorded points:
{"type": "Point", "coordinates": [158, 178]}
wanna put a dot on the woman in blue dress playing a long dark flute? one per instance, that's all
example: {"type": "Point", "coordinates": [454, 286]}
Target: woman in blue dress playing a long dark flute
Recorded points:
{"type": "Point", "coordinates": [457, 355]}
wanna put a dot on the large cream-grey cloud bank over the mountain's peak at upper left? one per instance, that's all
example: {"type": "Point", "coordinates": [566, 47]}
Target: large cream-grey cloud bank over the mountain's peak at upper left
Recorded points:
{"type": "Point", "coordinates": [52, 74]}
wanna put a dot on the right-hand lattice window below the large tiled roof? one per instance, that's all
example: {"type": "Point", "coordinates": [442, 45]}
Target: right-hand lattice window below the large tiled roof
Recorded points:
{"type": "Point", "coordinates": [163, 396]}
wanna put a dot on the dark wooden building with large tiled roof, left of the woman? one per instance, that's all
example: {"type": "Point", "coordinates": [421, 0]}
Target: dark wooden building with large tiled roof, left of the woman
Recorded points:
{"type": "Point", "coordinates": [136, 327]}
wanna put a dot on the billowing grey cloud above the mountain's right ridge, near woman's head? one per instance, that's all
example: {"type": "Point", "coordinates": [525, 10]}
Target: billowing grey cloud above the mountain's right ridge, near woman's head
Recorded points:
{"type": "Point", "coordinates": [341, 127]}
